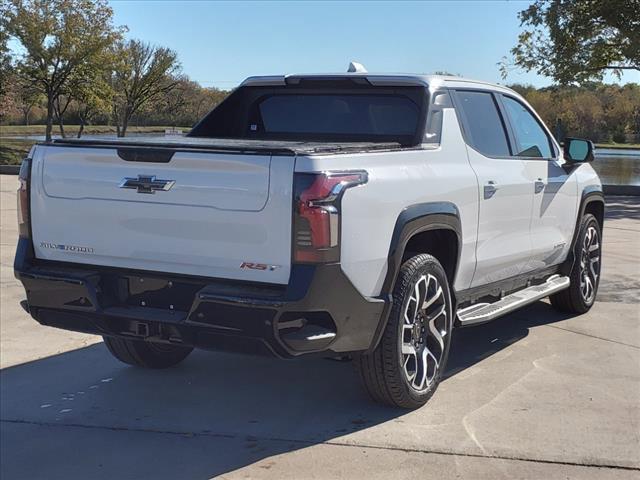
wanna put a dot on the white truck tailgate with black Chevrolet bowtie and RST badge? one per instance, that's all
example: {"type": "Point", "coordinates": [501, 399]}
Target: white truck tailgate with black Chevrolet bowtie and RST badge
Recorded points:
{"type": "Point", "coordinates": [209, 212]}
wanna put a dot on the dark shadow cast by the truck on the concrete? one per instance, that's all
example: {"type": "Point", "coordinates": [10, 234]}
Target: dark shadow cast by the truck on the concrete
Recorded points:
{"type": "Point", "coordinates": [82, 414]}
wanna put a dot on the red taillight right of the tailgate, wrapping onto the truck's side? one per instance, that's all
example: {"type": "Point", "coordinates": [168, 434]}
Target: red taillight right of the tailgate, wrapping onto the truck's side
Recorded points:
{"type": "Point", "coordinates": [317, 214]}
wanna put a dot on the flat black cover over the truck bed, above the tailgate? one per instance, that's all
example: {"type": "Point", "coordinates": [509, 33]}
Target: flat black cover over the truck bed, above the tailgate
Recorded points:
{"type": "Point", "coordinates": [273, 147]}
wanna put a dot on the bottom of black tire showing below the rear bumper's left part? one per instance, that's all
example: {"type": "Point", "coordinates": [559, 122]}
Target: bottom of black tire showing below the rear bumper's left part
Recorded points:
{"type": "Point", "coordinates": [146, 354]}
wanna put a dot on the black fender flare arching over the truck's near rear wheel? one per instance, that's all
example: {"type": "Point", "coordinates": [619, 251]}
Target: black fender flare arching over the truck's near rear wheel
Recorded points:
{"type": "Point", "coordinates": [415, 219]}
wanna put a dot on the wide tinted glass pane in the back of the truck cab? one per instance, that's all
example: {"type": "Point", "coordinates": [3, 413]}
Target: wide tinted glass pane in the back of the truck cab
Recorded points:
{"type": "Point", "coordinates": [339, 114]}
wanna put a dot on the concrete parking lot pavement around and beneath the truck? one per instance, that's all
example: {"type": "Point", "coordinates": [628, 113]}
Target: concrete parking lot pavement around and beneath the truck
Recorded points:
{"type": "Point", "coordinates": [536, 394]}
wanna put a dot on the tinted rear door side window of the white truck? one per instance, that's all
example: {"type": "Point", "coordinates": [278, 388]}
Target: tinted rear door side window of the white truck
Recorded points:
{"type": "Point", "coordinates": [484, 124]}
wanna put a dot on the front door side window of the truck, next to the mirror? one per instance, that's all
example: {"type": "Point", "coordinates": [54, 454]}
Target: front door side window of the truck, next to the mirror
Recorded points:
{"type": "Point", "coordinates": [531, 139]}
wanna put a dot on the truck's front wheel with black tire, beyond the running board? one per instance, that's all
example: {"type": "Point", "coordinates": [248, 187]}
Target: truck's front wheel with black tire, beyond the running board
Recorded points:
{"type": "Point", "coordinates": [575, 298]}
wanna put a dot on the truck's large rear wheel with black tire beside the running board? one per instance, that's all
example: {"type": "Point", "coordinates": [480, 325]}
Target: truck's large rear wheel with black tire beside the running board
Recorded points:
{"type": "Point", "coordinates": [385, 372]}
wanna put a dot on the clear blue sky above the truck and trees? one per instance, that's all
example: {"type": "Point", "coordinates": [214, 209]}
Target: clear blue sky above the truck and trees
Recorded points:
{"type": "Point", "coordinates": [221, 43]}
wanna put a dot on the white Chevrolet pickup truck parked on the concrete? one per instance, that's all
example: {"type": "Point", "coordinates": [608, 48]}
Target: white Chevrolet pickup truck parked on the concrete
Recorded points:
{"type": "Point", "coordinates": [341, 215]}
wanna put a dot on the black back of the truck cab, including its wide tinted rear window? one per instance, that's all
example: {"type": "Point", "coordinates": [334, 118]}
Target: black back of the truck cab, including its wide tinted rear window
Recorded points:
{"type": "Point", "coordinates": [320, 112]}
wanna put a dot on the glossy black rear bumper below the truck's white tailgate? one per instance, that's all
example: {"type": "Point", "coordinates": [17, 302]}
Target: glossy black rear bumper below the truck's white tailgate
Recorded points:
{"type": "Point", "coordinates": [318, 311]}
